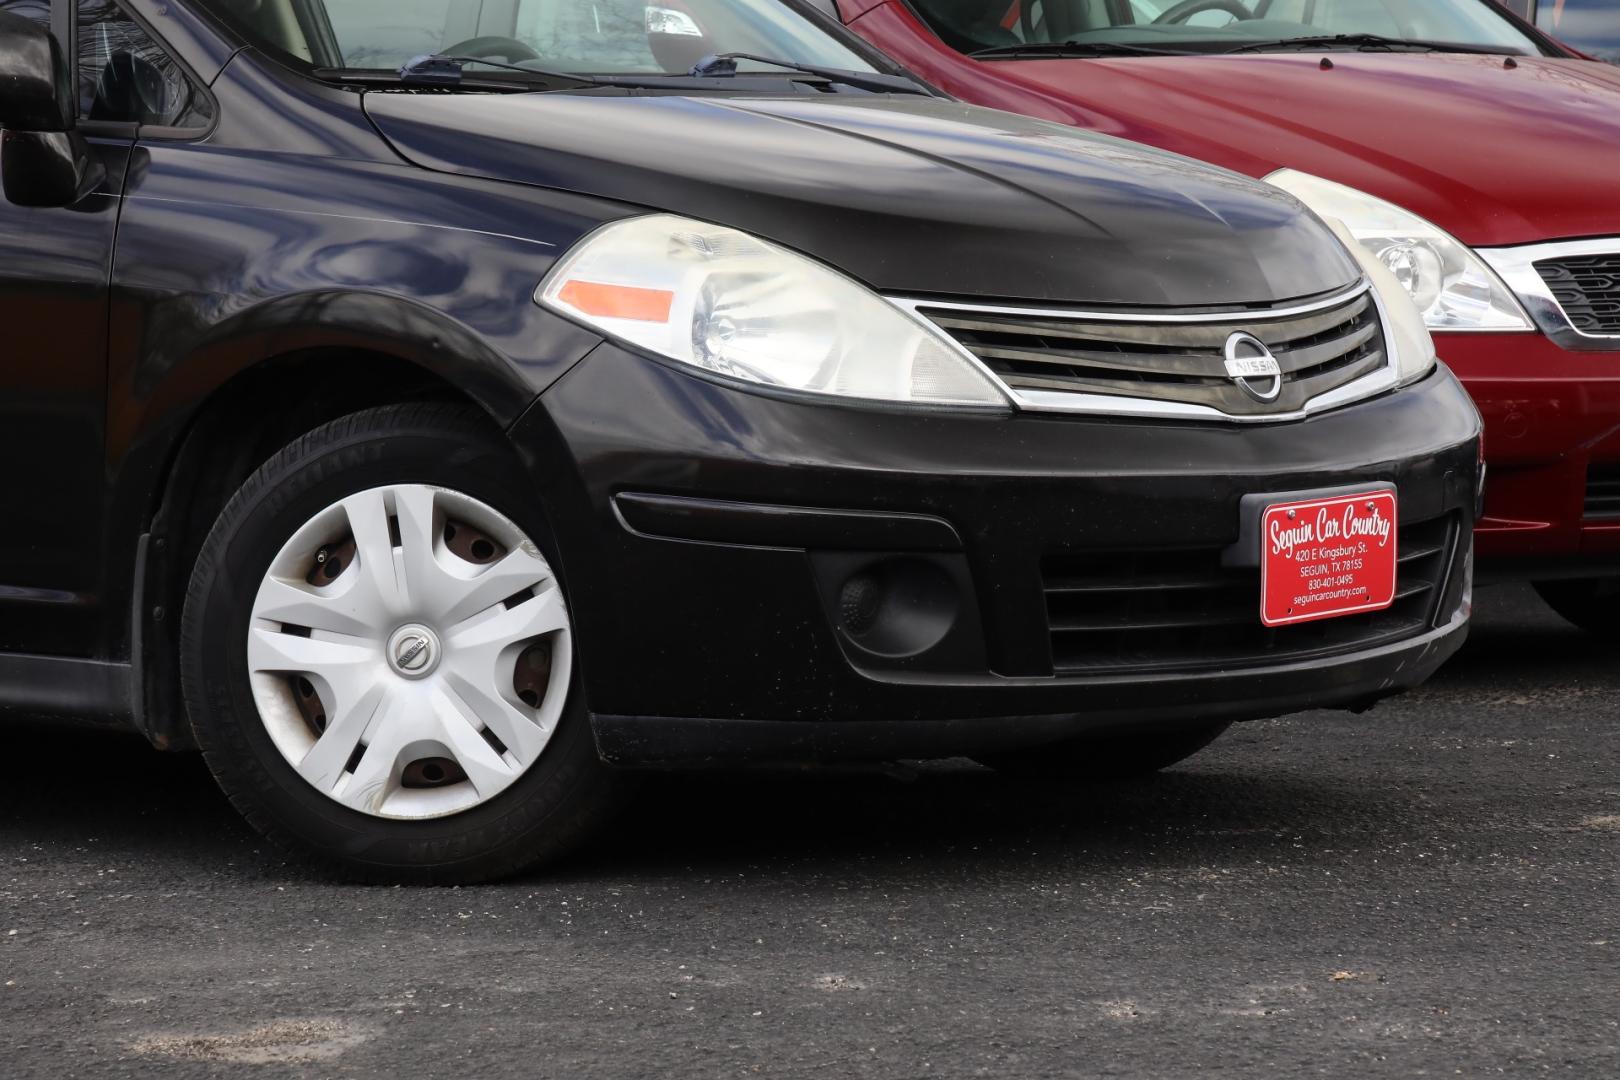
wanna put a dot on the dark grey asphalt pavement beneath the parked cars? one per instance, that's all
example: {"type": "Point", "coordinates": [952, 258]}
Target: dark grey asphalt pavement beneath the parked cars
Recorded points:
{"type": "Point", "coordinates": [1428, 890]}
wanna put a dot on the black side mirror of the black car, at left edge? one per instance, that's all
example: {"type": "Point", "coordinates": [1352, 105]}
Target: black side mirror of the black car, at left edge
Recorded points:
{"type": "Point", "coordinates": [43, 159]}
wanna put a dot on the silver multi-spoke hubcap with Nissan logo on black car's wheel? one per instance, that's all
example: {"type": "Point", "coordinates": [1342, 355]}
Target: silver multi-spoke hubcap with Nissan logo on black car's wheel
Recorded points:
{"type": "Point", "coordinates": [411, 652]}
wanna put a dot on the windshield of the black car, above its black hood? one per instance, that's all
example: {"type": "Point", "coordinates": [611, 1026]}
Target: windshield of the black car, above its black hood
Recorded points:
{"type": "Point", "coordinates": [584, 36]}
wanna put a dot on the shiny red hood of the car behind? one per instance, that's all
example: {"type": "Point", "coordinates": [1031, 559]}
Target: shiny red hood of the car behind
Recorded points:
{"type": "Point", "coordinates": [1493, 155]}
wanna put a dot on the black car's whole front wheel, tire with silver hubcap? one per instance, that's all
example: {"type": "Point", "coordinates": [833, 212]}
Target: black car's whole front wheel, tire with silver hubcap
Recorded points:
{"type": "Point", "coordinates": [428, 793]}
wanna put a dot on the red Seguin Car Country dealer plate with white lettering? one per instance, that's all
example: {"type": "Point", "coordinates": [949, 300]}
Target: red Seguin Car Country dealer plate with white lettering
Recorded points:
{"type": "Point", "coordinates": [1328, 558]}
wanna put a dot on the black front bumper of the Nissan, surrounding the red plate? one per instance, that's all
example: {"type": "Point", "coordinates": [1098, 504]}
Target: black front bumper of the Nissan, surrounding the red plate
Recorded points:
{"type": "Point", "coordinates": [709, 538]}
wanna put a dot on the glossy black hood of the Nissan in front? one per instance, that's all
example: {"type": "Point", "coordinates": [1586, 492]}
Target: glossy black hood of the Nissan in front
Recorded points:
{"type": "Point", "coordinates": [910, 195]}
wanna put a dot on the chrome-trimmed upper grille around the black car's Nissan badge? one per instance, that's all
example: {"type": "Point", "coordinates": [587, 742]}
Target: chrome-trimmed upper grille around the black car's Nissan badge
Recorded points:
{"type": "Point", "coordinates": [1172, 357]}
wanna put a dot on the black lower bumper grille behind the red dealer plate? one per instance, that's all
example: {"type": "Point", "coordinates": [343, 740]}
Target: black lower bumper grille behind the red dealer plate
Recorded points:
{"type": "Point", "coordinates": [1143, 611]}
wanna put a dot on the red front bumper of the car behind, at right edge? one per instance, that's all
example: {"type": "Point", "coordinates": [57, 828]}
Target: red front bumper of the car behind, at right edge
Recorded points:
{"type": "Point", "coordinates": [1551, 417]}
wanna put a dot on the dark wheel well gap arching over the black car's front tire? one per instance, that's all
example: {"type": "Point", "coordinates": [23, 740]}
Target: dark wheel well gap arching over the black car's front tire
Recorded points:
{"type": "Point", "coordinates": [239, 428]}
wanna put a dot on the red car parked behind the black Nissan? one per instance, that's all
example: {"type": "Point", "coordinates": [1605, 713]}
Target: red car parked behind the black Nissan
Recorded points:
{"type": "Point", "coordinates": [1472, 153]}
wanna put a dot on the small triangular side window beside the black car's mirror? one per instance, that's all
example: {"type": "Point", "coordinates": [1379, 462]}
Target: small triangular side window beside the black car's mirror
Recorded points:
{"type": "Point", "coordinates": [127, 77]}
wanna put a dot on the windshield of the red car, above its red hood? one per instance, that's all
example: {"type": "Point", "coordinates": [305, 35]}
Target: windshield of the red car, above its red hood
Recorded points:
{"type": "Point", "coordinates": [1115, 27]}
